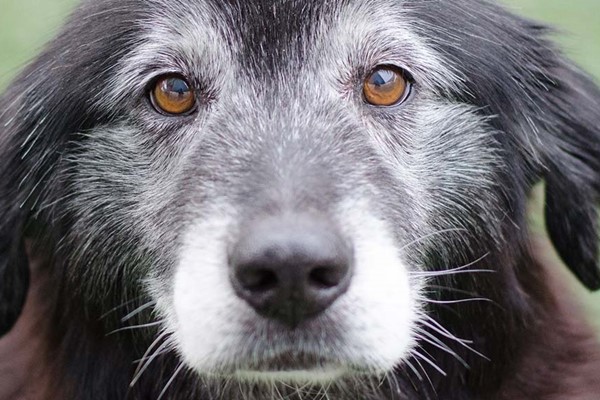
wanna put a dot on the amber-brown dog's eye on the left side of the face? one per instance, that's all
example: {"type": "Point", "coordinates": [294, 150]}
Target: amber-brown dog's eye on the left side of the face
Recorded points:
{"type": "Point", "coordinates": [173, 95]}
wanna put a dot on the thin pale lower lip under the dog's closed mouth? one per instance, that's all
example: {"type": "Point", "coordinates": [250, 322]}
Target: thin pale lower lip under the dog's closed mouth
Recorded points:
{"type": "Point", "coordinates": [316, 376]}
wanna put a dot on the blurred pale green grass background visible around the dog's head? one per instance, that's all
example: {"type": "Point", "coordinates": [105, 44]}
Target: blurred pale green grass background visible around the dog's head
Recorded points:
{"type": "Point", "coordinates": [25, 25]}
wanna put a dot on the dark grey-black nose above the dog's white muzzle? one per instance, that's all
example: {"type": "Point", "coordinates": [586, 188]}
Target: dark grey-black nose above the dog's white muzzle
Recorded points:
{"type": "Point", "coordinates": [291, 268]}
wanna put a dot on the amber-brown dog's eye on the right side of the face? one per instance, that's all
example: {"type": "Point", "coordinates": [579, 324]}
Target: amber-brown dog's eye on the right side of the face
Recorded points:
{"type": "Point", "coordinates": [386, 86]}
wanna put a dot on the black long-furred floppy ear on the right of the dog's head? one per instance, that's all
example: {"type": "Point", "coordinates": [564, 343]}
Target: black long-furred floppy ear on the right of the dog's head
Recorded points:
{"type": "Point", "coordinates": [549, 110]}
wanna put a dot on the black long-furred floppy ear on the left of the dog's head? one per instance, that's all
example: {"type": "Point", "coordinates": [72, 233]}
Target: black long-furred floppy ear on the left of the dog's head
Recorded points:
{"type": "Point", "coordinates": [43, 107]}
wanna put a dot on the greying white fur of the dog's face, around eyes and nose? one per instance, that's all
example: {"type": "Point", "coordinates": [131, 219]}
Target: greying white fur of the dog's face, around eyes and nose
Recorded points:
{"type": "Point", "coordinates": [287, 146]}
